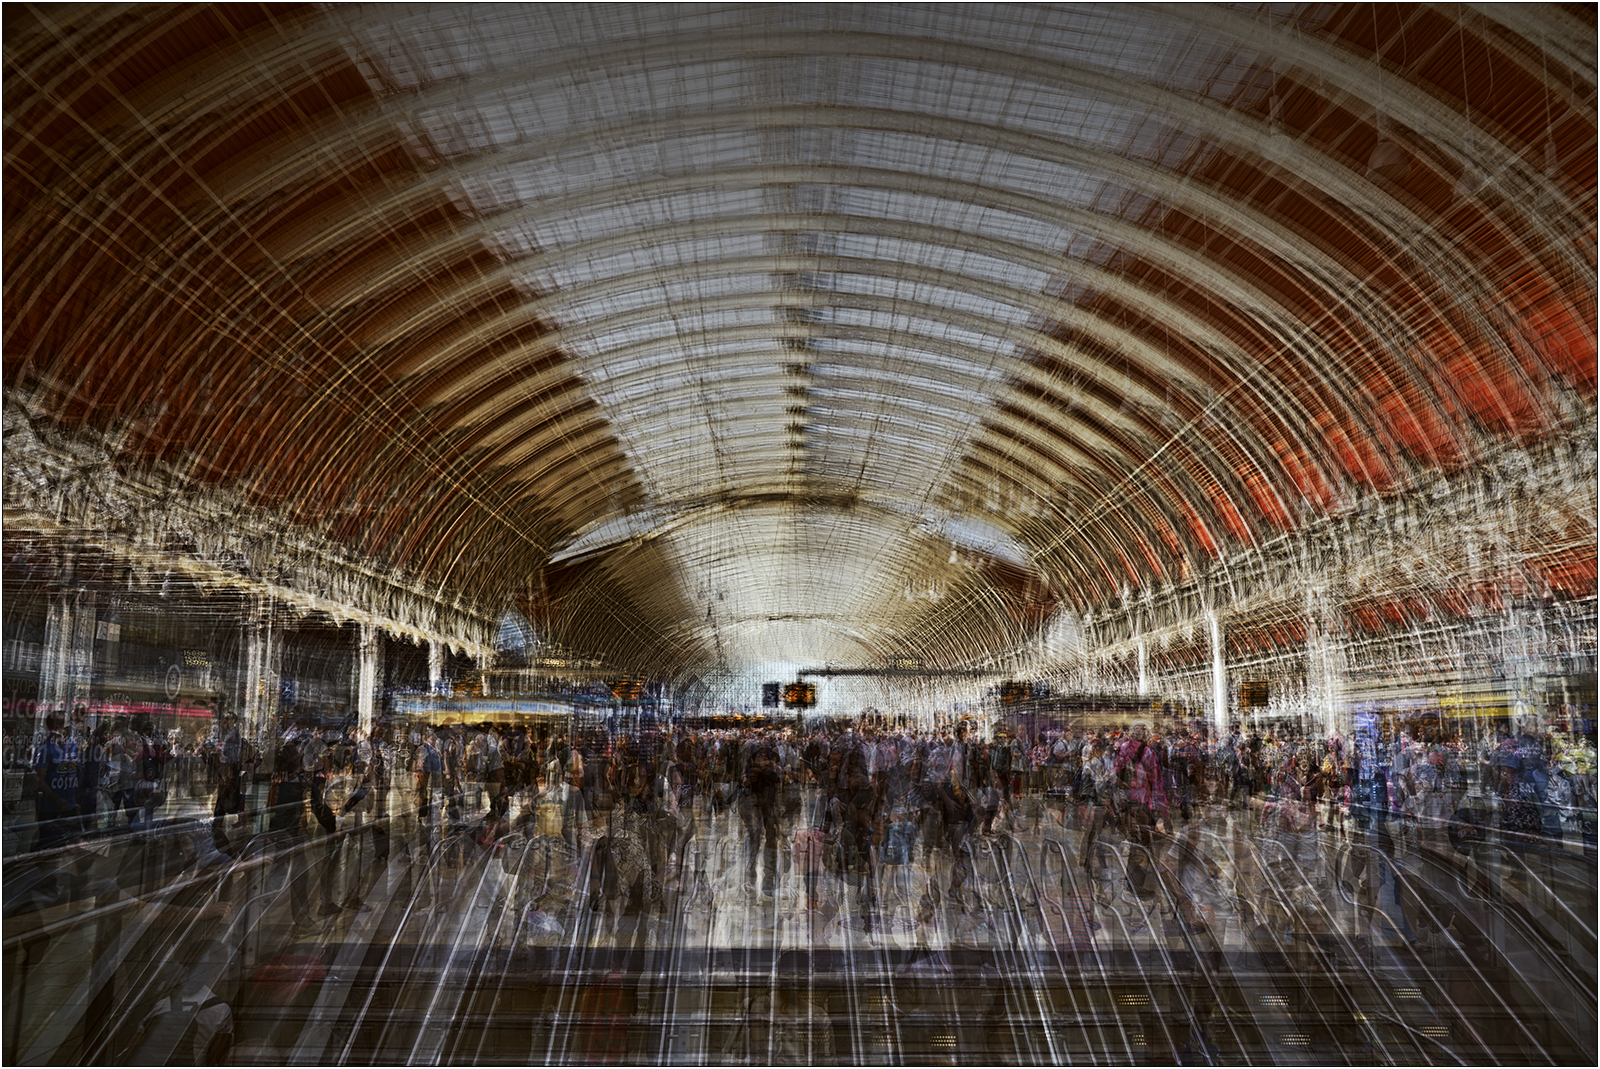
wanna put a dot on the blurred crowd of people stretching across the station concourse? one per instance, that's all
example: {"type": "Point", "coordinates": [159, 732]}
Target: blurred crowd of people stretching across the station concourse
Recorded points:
{"type": "Point", "coordinates": [850, 798]}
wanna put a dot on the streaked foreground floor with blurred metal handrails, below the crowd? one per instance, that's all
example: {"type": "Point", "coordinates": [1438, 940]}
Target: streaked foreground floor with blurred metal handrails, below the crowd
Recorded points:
{"type": "Point", "coordinates": [633, 940]}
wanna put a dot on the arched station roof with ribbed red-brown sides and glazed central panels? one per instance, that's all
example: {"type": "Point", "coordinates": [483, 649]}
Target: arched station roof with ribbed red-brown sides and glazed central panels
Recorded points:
{"type": "Point", "coordinates": [801, 334]}
